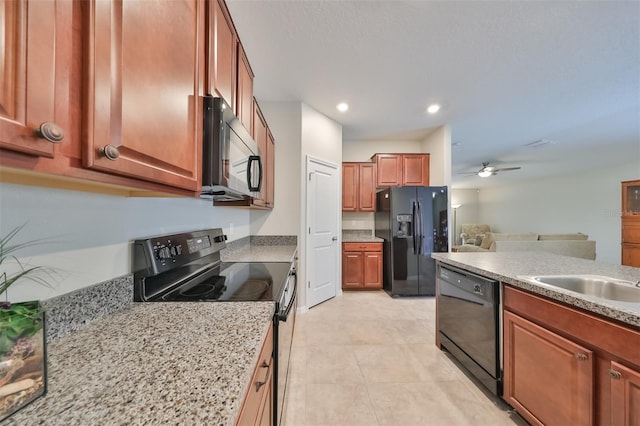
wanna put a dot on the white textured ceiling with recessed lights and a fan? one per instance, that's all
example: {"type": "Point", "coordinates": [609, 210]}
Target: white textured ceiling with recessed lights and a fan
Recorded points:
{"type": "Point", "coordinates": [507, 73]}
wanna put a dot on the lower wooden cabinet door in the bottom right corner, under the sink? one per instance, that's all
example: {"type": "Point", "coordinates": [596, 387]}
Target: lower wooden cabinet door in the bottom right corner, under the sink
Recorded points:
{"type": "Point", "coordinates": [625, 395]}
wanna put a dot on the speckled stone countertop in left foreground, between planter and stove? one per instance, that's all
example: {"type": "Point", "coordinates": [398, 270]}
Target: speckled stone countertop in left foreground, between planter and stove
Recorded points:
{"type": "Point", "coordinates": [154, 364]}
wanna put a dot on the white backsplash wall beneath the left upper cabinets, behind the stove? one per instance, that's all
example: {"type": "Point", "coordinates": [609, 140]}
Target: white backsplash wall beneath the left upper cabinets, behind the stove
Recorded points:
{"type": "Point", "coordinates": [88, 236]}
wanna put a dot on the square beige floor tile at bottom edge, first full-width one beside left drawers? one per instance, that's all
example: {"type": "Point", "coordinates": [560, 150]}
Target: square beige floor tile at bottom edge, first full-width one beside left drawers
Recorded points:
{"type": "Point", "coordinates": [338, 404]}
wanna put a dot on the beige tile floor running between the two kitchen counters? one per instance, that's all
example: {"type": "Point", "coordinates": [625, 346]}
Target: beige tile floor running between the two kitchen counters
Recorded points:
{"type": "Point", "coordinates": [364, 358]}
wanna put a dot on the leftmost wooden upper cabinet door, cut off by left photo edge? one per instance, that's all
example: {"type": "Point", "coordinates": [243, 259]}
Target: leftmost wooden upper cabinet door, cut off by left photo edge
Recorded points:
{"type": "Point", "coordinates": [35, 50]}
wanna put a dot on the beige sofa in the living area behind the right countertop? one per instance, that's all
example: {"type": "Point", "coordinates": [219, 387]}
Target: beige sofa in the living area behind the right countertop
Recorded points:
{"type": "Point", "coordinates": [574, 245]}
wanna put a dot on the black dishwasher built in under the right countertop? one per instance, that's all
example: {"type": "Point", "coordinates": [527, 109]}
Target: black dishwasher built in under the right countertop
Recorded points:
{"type": "Point", "coordinates": [468, 307]}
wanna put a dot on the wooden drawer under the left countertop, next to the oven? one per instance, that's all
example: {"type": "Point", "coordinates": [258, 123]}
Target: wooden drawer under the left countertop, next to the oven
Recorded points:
{"type": "Point", "coordinates": [260, 383]}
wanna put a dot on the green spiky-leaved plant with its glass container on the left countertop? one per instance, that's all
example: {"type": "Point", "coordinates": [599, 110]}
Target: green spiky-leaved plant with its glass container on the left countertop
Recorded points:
{"type": "Point", "coordinates": [22, 333]}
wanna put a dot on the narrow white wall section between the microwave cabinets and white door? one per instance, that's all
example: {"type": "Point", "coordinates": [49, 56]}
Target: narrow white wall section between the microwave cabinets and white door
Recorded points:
{"type": "Point", "coordinates": [285, 123]}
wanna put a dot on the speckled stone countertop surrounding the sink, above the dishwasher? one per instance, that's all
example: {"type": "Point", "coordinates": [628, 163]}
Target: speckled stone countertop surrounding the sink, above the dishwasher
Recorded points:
{"type": "Point", "coordinates": [509, 267]}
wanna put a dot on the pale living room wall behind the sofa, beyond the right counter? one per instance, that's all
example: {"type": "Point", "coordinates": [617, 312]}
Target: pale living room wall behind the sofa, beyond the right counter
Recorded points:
{"type": "Point", "coordinates": [589, 202]}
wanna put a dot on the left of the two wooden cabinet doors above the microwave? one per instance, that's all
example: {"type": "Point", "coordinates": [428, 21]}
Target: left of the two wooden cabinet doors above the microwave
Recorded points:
{"type": "Point", "coordinates": [222, 54]}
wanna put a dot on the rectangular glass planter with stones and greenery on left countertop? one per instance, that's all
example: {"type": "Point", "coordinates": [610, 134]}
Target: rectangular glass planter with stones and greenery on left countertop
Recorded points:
{"type": "Point", "coordinates": [23, 364]}
